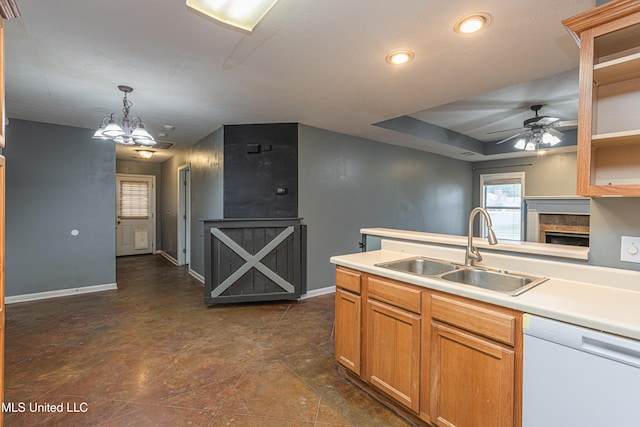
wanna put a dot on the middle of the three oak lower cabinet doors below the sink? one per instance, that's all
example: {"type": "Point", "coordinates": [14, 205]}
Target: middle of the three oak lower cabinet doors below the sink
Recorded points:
{"type": "Point", "coordinates": [393, 352]}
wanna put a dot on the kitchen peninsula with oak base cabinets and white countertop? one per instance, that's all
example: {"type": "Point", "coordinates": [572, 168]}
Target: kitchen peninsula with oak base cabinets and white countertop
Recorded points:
{"type": "Point", "coordinates": [444, 353]}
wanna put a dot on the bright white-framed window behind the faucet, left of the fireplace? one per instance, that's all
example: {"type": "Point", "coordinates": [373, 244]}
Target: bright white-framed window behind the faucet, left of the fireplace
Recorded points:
{"type": "Point", "coordinates": [501, 196]}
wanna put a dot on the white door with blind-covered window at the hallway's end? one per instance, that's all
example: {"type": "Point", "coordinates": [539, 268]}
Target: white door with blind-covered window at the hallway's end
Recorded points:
{"type": "Point", "coordinates": [135, 218]}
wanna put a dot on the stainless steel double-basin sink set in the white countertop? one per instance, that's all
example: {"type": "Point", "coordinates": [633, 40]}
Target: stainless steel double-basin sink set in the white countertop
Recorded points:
{"type": "Point", "coordinates": [501, 281]}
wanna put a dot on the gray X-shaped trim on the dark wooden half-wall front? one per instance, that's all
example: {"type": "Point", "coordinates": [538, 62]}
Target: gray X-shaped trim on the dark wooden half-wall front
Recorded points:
{"type": "Point", "coordinates": [252, 261]}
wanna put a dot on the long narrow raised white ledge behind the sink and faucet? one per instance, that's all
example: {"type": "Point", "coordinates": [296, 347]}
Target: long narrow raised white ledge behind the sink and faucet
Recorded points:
{"type": "Point", "coordinates": [532, 248]}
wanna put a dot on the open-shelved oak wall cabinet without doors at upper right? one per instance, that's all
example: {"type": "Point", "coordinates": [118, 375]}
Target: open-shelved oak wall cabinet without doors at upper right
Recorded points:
{"type": "Point", "coordinates": [609, 95]}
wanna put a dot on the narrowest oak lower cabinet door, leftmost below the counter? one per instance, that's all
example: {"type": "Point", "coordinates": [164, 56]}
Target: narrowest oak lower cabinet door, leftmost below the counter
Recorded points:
{"type": "Point", "coordinates": [348, 330]}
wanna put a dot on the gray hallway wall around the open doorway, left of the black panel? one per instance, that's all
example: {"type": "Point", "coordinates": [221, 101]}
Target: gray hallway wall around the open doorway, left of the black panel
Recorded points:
{"type": "Point", "coordinates": [206, 159]}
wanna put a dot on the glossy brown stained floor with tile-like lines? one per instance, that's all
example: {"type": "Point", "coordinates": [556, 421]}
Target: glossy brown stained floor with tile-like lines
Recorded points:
{"type": "Point", "coordinates": [152, 354]}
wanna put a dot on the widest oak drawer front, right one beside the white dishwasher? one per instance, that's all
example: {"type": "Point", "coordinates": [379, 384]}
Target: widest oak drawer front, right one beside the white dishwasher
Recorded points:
{"type": "Point", "coordinates": [483, 319]}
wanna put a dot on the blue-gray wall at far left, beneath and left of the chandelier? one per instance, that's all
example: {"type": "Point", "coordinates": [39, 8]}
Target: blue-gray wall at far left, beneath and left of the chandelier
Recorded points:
{"type": "Point", "coordinates": [58, 179]}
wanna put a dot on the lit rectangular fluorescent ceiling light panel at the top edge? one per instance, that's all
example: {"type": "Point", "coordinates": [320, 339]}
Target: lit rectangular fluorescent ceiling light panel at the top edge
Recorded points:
{"type": "Point", "coordinates": [240, 14]}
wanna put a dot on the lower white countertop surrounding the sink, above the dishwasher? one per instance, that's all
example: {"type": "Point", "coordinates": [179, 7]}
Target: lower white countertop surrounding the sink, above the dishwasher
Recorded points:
{"type": "Point", "coordinates": [589, 302]}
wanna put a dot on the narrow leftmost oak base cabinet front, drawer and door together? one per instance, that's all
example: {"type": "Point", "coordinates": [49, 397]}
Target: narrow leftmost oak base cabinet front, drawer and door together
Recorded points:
{"type": "Point", "coordinates": [348, 319]}
